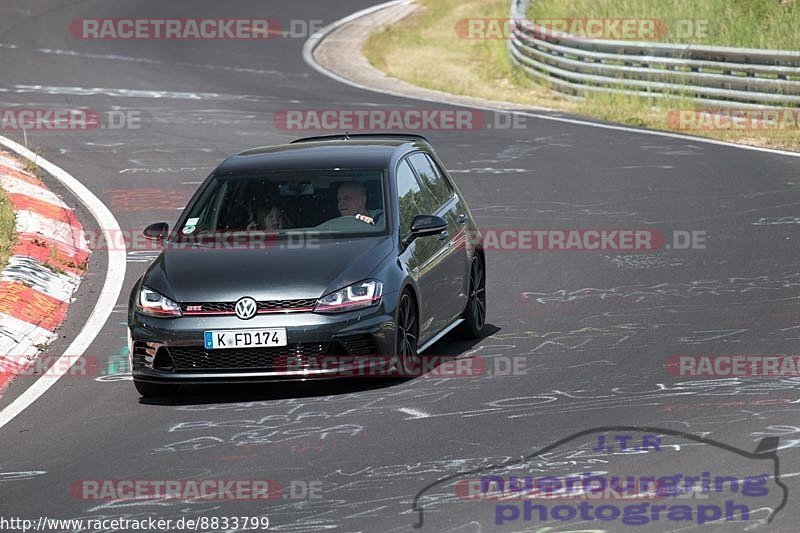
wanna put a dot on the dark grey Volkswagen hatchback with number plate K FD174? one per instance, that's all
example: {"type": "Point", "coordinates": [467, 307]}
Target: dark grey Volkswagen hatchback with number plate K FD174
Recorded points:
{"type": "Point", "coordinates": [316, 259]}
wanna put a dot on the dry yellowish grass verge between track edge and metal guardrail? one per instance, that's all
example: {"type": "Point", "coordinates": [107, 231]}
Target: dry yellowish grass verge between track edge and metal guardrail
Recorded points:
{"type": "Point", "coordinates": [425, 49]}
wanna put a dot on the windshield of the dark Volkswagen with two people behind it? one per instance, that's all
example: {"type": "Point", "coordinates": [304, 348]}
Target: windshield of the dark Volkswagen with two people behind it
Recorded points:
{"type": "Point", "coordinates": [328, 202]}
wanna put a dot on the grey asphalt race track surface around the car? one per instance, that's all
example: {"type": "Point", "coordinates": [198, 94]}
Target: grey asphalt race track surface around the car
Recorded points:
{"type": "Point", "coordinates": [593, 329]}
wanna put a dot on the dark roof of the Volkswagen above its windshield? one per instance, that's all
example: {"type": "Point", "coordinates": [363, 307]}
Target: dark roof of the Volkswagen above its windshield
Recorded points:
{"type": "Point", "coordinates": [325, 153]}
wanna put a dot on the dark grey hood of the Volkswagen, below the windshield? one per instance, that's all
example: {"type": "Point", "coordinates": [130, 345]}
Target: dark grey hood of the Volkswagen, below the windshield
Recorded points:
{"type": "Point", "coordinates": [196, 274]}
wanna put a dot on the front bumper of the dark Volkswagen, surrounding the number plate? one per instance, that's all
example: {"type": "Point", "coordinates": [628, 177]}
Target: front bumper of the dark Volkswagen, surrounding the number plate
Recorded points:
{"type": "Point", "coordinates": [171, 350]}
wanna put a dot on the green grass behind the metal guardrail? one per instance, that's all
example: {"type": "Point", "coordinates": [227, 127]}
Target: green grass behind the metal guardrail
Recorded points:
{"type": "Point", "coordinates": [741, 23]}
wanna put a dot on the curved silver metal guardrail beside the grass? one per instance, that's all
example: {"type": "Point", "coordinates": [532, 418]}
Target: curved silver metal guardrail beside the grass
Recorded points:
{"type": "Point", "coordinates": [720, 76]}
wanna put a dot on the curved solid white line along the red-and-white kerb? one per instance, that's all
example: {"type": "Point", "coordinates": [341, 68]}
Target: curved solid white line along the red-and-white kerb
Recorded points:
{"type": "Point", "coordinates": [107, 299]}
